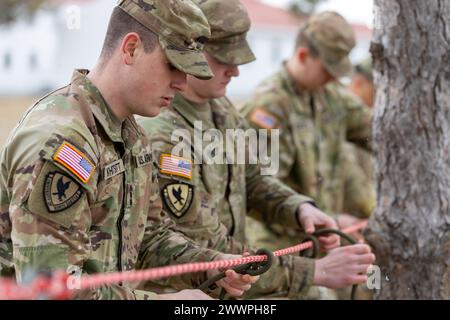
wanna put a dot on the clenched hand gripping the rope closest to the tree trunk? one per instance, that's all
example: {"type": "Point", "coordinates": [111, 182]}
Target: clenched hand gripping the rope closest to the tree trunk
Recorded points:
{"type": "Point", "coordinates": [344, 266]}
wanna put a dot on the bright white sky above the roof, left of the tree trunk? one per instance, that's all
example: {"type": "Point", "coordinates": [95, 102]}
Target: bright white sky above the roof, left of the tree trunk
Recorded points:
{"type": "Point", "coordinates": [356, 11]}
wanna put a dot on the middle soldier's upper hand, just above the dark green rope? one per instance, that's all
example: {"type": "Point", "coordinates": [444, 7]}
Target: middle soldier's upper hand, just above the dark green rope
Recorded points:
{"type": "Point", "coordinates": [312, 218]}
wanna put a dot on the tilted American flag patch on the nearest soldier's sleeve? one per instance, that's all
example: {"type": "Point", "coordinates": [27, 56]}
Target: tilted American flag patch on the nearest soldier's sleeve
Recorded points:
{"type": "Point", "coordinates": [75, 161]}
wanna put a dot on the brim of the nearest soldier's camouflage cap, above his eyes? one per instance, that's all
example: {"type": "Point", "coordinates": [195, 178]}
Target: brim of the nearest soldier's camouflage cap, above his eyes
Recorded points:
{"type": "Point", "coordinates": [191, 62]}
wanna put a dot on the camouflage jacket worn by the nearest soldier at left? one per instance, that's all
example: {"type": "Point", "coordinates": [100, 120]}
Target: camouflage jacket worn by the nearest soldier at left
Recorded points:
{"type": "Point", "coordinates": [54, 215]}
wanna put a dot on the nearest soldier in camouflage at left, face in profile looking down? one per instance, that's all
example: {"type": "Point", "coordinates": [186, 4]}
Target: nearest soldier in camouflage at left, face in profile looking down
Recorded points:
{"type": "Point", "coordinates": [77, 184]}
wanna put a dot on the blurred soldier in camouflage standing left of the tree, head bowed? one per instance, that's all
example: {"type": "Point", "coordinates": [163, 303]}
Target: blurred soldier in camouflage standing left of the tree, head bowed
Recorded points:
{"type": "Point", "coordinates": [316, 117]}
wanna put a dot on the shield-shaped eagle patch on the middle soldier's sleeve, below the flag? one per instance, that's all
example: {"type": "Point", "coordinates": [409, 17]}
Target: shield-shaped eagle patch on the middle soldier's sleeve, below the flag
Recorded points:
{"type": "Point", "coordinates": [178, 198]}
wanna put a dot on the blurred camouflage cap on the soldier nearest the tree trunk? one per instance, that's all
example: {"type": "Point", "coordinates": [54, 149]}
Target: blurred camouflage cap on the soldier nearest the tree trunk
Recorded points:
{"type": "Point", "coordinates": [333, 37]}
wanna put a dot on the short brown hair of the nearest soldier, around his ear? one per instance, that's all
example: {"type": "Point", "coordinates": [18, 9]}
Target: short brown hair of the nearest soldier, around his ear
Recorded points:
{"type": "Point", "coordinates": [121, 24]}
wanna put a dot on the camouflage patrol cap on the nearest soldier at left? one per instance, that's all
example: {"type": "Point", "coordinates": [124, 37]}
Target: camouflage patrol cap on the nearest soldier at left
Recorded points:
{"type": "Point", "coordinates": [182, 29]}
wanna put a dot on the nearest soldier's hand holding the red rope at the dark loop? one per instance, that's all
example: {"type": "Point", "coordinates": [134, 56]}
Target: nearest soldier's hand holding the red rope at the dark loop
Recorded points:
{"type": "Point", "coordinates": [234, 284]}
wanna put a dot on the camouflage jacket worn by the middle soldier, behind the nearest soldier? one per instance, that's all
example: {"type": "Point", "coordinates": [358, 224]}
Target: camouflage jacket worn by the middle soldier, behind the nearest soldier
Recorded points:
{"type": "Point", "coordinates": [217, 196]}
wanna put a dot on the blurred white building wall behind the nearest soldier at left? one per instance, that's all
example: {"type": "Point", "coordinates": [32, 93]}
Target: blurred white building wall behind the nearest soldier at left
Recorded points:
{"type": "Point", "coordinates": [60, 40]}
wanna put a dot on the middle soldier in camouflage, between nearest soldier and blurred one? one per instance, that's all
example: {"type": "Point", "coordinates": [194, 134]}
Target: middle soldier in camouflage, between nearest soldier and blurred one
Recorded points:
{"type": "Point", "coordinates": [209, 200]}
